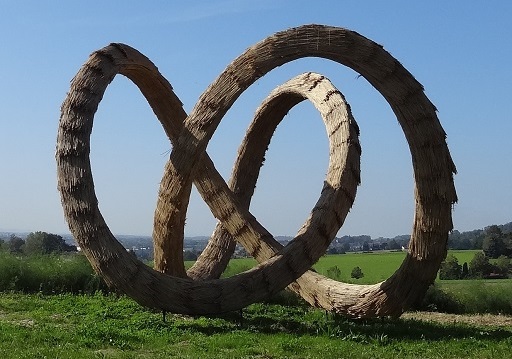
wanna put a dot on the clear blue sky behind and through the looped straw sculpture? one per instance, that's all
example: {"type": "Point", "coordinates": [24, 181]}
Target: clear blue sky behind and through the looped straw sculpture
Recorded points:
{"type": "Point", "coordinates": [459, 51]}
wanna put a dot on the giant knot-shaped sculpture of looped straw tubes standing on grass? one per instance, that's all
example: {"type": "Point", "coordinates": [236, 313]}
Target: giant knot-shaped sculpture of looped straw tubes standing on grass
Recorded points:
{"type": "Point", "coordinates": [199, 290]}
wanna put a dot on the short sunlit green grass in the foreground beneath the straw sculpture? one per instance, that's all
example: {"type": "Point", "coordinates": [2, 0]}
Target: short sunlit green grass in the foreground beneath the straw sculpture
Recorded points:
{"type": "Point", "coordinates": [67, 326]}
